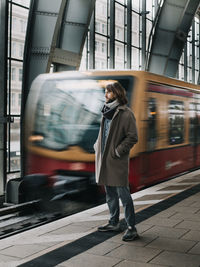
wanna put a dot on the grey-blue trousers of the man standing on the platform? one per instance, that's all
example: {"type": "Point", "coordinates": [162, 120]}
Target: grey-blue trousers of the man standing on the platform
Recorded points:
{"type": "Point", "coordinates": [113, 193]}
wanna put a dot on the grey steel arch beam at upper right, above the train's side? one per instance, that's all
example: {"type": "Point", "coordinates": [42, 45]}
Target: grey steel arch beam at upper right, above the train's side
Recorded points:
{"type": "Point", "coordinates": [173, 25]}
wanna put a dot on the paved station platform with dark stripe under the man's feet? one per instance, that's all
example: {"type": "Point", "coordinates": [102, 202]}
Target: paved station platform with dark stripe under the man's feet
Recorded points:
{"type": "Point", "coordinates": [168, 223]}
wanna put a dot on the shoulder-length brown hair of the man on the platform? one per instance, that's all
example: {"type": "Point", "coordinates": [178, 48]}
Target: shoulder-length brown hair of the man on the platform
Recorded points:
{"type": "Point", "coordinates": [119, 91]}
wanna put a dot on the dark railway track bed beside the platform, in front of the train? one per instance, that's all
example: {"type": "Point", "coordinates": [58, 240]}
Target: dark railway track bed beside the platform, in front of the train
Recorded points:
{"type": "Point", "coordinates": [18, 218]}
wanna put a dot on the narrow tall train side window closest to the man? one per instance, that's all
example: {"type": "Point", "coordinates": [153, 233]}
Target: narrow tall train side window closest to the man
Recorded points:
{"type": "Point", "coordinates": [151, 131]}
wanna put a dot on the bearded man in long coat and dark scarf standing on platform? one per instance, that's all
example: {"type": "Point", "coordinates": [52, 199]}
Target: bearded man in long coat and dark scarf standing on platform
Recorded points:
{"type": "Point", "coordinates": [116, 137]}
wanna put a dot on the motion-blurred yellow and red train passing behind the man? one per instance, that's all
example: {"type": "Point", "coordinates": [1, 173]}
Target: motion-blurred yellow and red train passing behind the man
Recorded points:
{"type": "Point", "coordinates": [63, 115]}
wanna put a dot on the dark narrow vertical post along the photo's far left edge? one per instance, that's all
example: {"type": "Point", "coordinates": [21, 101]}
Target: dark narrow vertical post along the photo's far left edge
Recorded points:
{"type": "Point", "coordinates": [3, 90]}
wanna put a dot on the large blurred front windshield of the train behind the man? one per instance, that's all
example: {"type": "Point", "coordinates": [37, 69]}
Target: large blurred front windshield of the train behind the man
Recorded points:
{"type": "Point", "coordinates": [68, 111]}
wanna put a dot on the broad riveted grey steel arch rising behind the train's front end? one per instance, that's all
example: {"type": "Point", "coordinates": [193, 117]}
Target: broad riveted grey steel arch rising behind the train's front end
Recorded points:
{"type": "Point", "coordinates": [55, 36]}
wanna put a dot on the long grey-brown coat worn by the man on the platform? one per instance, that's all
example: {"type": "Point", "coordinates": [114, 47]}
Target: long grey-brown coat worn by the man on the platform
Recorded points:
{"type": "Point", "coordinates": [110, 169]}
